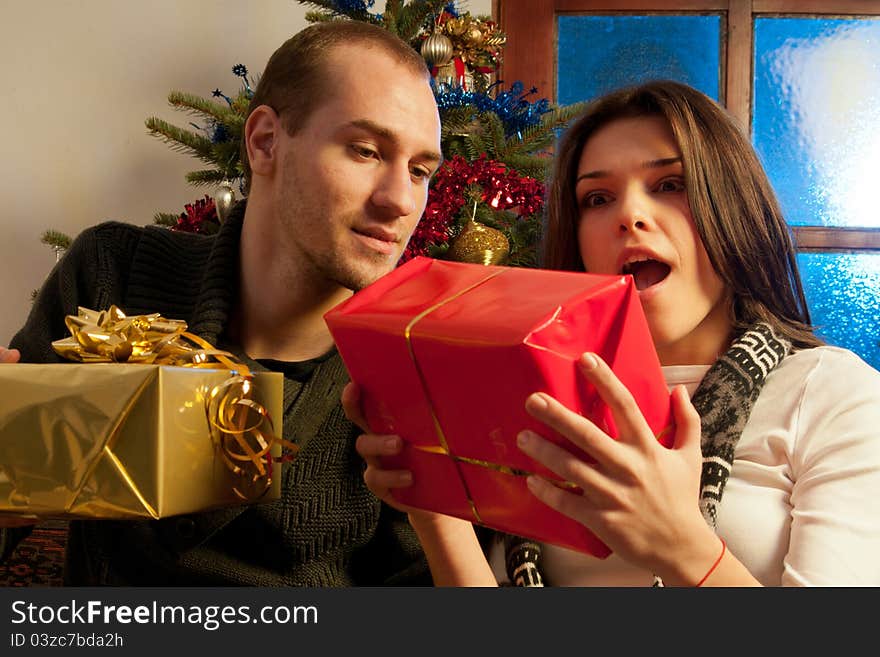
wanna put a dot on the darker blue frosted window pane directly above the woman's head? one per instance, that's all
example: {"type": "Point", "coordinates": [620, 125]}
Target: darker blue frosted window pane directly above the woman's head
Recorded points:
{"type": "Point", "coordinates": [597, 54]}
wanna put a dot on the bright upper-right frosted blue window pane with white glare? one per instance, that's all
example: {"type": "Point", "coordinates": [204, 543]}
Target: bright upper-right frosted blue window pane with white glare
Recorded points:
{"type": "Point", "coordinates": [815, 122]}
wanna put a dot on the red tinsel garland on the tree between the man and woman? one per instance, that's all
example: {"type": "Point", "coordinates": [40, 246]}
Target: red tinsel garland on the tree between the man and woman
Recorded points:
{"type": "Point", "coordinates": [502, 188]}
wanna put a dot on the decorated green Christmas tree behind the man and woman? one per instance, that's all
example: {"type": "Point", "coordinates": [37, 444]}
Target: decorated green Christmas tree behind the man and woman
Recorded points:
{"type": "Point", "coordinates": [485, 202]}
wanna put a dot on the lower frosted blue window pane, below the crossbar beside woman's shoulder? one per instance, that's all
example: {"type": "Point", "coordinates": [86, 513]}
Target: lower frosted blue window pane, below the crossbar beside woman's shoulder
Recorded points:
{"type": "Point", "coordinates": [843, 294]}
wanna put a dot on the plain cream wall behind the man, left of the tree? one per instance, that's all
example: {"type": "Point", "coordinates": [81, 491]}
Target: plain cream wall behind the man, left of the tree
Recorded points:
{"type": "Point", "coordinates": [80, 78]}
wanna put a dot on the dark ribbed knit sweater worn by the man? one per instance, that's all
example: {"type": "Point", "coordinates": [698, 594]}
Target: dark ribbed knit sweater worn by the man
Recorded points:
{"type": "Point", "coordinates": [326, 530]}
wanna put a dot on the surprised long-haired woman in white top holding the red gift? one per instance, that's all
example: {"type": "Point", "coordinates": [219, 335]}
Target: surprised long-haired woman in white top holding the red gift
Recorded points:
{"type": "Point", "coordinates": [774, 475]}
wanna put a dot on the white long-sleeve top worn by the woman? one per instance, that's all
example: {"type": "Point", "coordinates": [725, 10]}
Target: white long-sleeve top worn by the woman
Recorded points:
{"type": "Point", "coordinates": [802, 504]}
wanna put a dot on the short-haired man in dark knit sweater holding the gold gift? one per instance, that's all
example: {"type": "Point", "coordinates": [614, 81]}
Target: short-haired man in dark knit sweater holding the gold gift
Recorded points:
{"type": "Point", "coordinates": [341, 140]}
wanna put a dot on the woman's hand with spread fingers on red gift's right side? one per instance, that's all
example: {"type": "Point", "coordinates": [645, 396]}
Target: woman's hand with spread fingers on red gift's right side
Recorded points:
{"type": "Point", "coordinates": [639, 497]}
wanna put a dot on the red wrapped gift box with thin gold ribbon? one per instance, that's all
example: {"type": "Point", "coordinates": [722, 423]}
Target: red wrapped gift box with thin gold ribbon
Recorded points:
{"type": "Point", "coordinates": [446, 353]}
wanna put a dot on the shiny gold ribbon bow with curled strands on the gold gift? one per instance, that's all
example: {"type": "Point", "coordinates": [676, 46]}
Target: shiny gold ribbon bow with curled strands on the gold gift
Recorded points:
{"type": "Point", "coordinates": [241, 429]}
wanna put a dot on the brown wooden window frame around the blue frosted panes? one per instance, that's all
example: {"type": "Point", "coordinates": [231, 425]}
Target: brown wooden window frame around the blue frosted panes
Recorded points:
{"type": "Point", "coordinates": [529, 56]}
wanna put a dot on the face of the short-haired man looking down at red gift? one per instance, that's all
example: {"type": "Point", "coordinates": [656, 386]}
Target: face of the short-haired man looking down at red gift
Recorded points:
{"type": "Point", "coordinates": [354, 178]}
